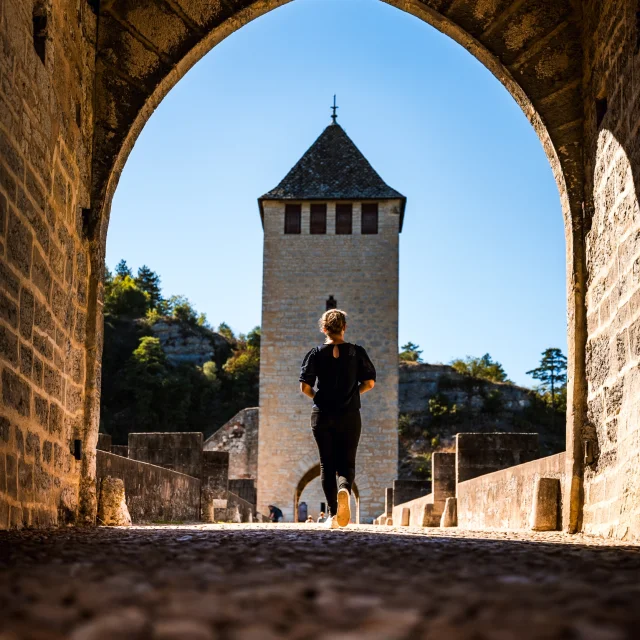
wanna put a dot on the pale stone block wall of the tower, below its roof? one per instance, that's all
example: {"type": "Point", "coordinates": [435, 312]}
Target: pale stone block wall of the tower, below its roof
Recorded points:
{"type": "Point", "coordinates": [369, 295]}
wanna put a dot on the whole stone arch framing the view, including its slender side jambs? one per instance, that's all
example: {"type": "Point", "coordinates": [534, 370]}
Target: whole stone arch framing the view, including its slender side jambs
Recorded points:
{"type": "Point", "coordinates": [533, 47]}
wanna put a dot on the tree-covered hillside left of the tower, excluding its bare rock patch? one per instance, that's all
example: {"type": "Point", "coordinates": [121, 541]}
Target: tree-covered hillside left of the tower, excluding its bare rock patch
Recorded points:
{"type": "Point", "coordinates": [145, 390]}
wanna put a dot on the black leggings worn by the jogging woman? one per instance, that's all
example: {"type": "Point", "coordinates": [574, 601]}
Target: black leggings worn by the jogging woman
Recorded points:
{"type": "Point", "coordinates": [337, 437]}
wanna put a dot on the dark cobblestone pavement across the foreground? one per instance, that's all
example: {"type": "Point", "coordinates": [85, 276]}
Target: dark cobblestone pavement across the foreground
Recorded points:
{"type": "Point", "coordinates": [261, 582]}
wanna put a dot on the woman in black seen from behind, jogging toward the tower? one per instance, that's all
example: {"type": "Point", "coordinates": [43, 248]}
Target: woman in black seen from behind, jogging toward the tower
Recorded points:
{"type": "Point", "coordinates": [343, 372]}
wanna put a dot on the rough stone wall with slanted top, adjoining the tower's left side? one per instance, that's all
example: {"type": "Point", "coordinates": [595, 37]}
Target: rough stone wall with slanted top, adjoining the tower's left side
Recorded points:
{"type": "Point", "coordinates": [239, 437]}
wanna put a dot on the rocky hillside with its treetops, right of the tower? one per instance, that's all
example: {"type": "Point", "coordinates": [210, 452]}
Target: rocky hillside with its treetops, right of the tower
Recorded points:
{"type": "Point", "coordinates": [474, 394]}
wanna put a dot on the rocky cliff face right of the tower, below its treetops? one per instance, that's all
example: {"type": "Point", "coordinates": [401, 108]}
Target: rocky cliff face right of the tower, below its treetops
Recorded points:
{"type": "Point", "coordinates": [436, 402]}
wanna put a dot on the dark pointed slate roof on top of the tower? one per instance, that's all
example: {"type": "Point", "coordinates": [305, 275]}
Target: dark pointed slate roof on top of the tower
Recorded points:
{"type": "Point", "coordinates": [333, 168]}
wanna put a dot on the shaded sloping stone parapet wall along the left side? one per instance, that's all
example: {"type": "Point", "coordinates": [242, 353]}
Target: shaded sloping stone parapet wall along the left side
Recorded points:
{"type": "Point", "coordinates": [152, 493]}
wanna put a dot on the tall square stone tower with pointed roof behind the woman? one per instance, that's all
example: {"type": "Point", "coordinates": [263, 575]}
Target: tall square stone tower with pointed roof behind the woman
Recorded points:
{"type": "Point", "coordinates": [330, 239]}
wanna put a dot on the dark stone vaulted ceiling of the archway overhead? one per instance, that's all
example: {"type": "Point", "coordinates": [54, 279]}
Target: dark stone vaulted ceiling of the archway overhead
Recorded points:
{"type": "Point", "coordinates": [145, 46]}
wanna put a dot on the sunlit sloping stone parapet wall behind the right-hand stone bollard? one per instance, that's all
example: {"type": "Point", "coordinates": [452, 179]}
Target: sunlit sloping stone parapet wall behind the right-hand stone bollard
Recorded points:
{"type": "Point", "coordinates": [504, 499]}
